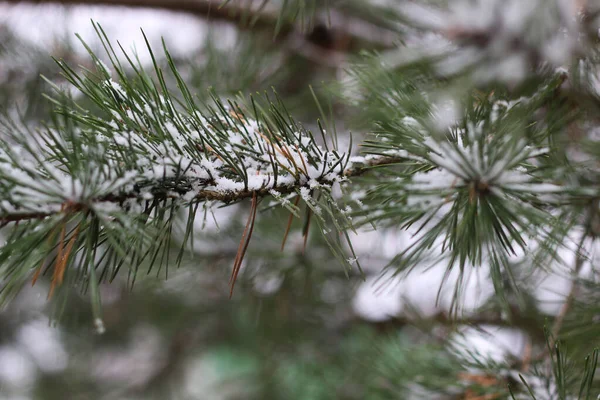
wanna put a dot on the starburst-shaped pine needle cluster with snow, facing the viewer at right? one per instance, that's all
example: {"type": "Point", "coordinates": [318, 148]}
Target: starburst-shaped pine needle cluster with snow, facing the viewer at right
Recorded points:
{"type": "Point", "coordinates": [484, 186]}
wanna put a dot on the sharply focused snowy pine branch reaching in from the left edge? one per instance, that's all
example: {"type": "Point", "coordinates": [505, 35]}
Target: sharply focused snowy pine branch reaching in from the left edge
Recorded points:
{"type": "Point", "coordinates": [114, 180]}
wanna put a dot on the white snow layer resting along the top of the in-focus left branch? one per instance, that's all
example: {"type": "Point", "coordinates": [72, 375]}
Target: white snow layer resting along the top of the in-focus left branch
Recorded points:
{"type": "Point", "coordinates": [225, 157]}
